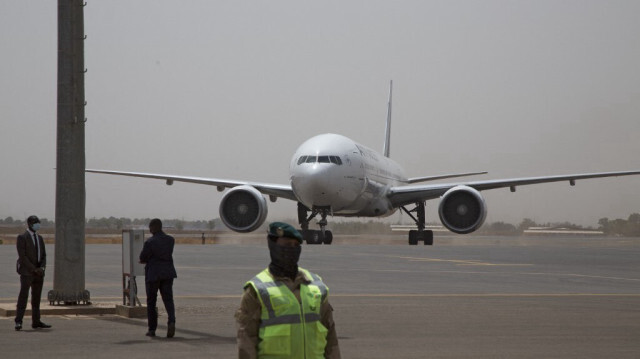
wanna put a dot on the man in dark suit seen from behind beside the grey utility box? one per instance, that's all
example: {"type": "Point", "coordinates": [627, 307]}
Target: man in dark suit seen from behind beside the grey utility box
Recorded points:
{"type": "Point", "coordinates": [159, 272]}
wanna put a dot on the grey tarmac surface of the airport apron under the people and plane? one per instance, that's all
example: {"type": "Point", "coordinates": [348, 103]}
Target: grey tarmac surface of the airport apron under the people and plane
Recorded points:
{"type": "Point", "coordinates": [465, 297]}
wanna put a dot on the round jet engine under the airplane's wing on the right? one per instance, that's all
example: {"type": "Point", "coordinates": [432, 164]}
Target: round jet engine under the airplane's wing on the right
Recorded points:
{"type": "Point", "coordinates": [462, 209]}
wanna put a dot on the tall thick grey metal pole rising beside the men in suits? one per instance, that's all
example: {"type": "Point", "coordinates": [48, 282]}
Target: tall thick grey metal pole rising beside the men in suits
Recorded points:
{"type": "Point", "coordinates": [69, 272]}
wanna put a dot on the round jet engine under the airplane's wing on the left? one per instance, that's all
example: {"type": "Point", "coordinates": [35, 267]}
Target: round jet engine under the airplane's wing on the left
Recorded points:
{"type": "Point", "coordinates": [243, 209]}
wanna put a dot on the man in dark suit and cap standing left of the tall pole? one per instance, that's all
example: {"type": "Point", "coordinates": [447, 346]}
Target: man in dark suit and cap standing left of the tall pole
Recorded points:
{"type": "Point", "coordinates": [32, 260]}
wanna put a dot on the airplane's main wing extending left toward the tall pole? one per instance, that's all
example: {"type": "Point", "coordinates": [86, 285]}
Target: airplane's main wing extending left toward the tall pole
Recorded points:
{"type": "Point", "coordinates": [273, 190]}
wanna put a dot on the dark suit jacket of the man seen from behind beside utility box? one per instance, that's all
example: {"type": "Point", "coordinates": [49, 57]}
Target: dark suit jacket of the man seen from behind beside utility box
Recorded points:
{"type": "Point", "coordinates": [157, 254]}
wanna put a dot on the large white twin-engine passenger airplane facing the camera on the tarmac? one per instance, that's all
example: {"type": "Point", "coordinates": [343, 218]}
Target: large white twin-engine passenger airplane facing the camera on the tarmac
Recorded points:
{"type": "Point", "coordinates": [332, 175]}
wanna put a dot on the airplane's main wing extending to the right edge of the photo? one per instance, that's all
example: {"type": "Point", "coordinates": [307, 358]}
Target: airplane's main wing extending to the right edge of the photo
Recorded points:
{"type": "Point", "coordinates": [403, 195]}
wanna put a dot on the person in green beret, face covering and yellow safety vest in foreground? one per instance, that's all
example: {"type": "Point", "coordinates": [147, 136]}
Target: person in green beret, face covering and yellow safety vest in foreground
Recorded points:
{"type": "Point", "coordinates": [285, 310]}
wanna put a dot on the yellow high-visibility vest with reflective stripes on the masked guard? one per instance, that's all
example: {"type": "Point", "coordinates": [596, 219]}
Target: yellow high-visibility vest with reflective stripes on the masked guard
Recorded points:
{"type": "Point", "coordinates": [288, 328]}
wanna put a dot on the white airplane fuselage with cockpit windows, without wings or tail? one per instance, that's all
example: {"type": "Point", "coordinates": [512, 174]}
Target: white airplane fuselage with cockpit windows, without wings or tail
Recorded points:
{"type": "Point", "coordinates": [333, 172]}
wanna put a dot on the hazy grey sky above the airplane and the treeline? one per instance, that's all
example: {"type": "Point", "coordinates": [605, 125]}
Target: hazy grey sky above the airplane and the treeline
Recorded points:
{"type": "Point", "coordinates": [229, 89]}
